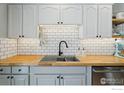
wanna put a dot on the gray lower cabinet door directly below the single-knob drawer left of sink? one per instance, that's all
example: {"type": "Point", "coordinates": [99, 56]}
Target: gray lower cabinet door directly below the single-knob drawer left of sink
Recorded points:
{"type": "Point", "coordinates": [19, 79]}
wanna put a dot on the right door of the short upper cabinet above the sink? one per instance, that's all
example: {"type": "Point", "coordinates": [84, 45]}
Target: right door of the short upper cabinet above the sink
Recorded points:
{"type": "Point", "coordinates": [71, 14]}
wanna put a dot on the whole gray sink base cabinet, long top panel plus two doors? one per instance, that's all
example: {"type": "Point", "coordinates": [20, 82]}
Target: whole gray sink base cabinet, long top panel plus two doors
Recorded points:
{"type": "Point", "coordinates": [58, 76]}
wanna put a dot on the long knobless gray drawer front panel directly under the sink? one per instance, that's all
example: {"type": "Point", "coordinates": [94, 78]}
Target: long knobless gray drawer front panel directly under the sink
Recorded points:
{"type": "Point", "coordinates": [58, 70]}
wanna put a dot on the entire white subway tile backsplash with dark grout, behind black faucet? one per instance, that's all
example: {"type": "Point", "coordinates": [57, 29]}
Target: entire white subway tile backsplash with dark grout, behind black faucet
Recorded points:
{"type": "Point", "coordinates": [53, 34]}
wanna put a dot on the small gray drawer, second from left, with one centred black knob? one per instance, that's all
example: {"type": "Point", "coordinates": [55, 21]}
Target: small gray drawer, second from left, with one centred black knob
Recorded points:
{"type": "Point", "coordinates": [19, 70]}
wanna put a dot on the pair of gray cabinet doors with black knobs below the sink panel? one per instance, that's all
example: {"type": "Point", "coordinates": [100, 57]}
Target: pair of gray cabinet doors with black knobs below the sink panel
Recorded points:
{"type": "Point", "coordinates": [57, 80]}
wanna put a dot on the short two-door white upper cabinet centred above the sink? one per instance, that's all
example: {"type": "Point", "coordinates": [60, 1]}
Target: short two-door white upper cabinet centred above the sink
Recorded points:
{"type": "Point", "coordinates": [60, 14]}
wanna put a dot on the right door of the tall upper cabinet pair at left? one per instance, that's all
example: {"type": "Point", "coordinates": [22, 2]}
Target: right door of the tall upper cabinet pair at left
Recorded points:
{"type": "Point", "coordinates": [30, 21]}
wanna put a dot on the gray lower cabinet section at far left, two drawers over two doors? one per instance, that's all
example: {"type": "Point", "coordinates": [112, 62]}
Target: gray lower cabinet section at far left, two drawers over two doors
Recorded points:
{"type": "Point", "coordinates": [17, 75]}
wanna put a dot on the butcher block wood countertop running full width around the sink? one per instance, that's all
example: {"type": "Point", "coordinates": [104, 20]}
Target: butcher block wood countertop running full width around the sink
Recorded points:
{"type": "Point", "coordinates": [34, 60]}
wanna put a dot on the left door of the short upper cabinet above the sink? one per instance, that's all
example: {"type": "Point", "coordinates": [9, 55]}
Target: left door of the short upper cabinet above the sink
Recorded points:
{"type": "Point", "coordinates": [48, 14]}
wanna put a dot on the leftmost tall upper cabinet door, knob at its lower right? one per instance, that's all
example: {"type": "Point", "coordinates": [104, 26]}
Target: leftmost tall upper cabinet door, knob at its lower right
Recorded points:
{"type": "Point", "coordinates": [14, 21]}
